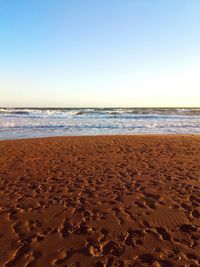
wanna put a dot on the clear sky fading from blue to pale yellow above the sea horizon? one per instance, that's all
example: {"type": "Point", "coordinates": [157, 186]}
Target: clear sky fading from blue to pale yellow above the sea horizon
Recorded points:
{"type": "Point", "coordinates": [102, 53]}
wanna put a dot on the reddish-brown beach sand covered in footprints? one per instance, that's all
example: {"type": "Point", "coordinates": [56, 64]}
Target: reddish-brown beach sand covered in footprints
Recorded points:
{"type": "Point", "coordinates": [100, 201]}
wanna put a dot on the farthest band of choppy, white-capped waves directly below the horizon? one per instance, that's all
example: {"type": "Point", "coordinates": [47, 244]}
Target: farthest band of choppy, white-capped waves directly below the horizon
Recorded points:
{"type": "Point", "coordinates": [128, 113]}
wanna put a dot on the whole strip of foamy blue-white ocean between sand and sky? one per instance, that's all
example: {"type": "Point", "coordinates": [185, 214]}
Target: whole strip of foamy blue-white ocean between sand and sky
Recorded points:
{"type": "Point", "coordinates": [18, 123]}
